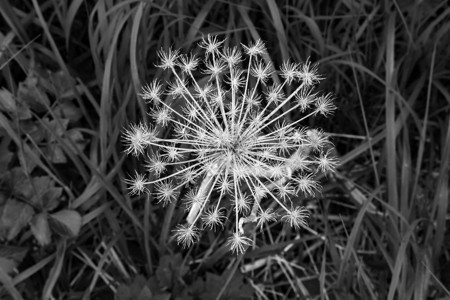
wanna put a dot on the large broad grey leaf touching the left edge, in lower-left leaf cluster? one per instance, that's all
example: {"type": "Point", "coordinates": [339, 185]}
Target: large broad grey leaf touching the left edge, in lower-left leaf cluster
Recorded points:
{"type": "Point", "coordinates": [14, 216]}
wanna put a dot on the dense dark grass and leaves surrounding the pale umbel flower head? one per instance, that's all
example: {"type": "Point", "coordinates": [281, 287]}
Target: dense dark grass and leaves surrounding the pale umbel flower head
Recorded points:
{"type": "Point", "coordinates": [72, 82]}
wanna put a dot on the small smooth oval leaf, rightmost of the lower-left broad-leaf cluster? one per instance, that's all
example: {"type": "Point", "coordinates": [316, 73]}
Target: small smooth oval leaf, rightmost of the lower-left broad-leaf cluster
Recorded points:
{"type": "Point", "coordinates": [66, 222]}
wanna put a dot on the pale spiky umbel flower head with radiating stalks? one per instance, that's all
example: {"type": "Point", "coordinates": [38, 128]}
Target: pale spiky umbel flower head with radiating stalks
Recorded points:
{"type": "Point", "coordinates": [231, 147]}
